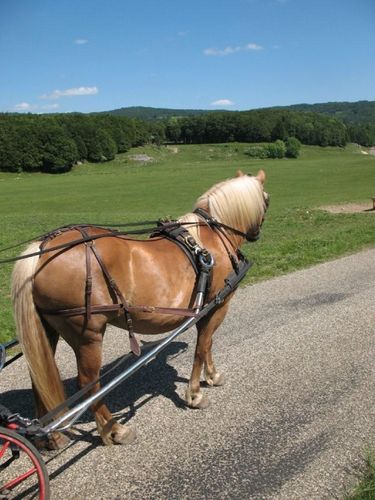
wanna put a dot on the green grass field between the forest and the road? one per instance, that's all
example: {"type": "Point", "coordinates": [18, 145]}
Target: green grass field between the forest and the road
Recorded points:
{"type": "Point", "coordinates": [296, 233]}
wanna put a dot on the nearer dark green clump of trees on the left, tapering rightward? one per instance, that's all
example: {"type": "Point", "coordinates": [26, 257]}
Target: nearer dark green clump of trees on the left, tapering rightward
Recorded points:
{"type": "Point", "coordinates": [54, 143]}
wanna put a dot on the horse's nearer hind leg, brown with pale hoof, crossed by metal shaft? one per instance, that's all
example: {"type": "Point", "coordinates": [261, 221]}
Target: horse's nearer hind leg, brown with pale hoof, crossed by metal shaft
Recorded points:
{"type": "Point", "coordinates": [89, 360]}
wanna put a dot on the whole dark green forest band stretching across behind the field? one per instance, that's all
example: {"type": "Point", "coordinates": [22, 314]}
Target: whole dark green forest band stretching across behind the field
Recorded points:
{"type": "Point", "coordinates": [55, 142]}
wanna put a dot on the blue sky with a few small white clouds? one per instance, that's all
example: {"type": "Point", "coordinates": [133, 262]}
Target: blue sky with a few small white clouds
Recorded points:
{"type": "Point", "coordinates": [97, 55]}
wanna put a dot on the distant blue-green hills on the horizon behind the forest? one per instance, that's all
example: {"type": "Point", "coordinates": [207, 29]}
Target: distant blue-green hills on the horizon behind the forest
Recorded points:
{"type": "Point", "coordinates": [349, 112]}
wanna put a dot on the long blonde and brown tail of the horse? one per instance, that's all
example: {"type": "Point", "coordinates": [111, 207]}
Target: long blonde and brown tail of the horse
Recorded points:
{"type": "Point", "coordinates": [32, 334]}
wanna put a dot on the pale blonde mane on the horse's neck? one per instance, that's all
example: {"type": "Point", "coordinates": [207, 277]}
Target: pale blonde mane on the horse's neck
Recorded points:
{"type": "Point", "coordinates": [238, 203]}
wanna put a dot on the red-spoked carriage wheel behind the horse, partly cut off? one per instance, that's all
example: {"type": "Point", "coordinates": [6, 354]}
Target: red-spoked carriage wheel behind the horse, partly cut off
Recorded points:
{"type": "Point", "coordinates": [22, 468]}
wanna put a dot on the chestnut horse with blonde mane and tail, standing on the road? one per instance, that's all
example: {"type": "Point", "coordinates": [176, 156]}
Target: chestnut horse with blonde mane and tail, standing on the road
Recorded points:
{"type": "Point", "coordinates": [153, 271]}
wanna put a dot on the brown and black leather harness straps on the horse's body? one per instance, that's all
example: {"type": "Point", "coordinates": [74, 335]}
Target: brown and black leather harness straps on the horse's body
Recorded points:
{"type": "Point", "coordinates": [201, 260]}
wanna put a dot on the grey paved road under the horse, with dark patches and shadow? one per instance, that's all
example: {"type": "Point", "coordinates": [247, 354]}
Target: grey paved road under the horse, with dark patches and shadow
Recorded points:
{"type": "Point", "coordinates": [291, 422]}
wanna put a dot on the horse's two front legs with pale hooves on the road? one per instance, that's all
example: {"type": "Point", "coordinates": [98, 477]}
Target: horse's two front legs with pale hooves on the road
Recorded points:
{"type": "Point", "coordinates": [203, 357]}
